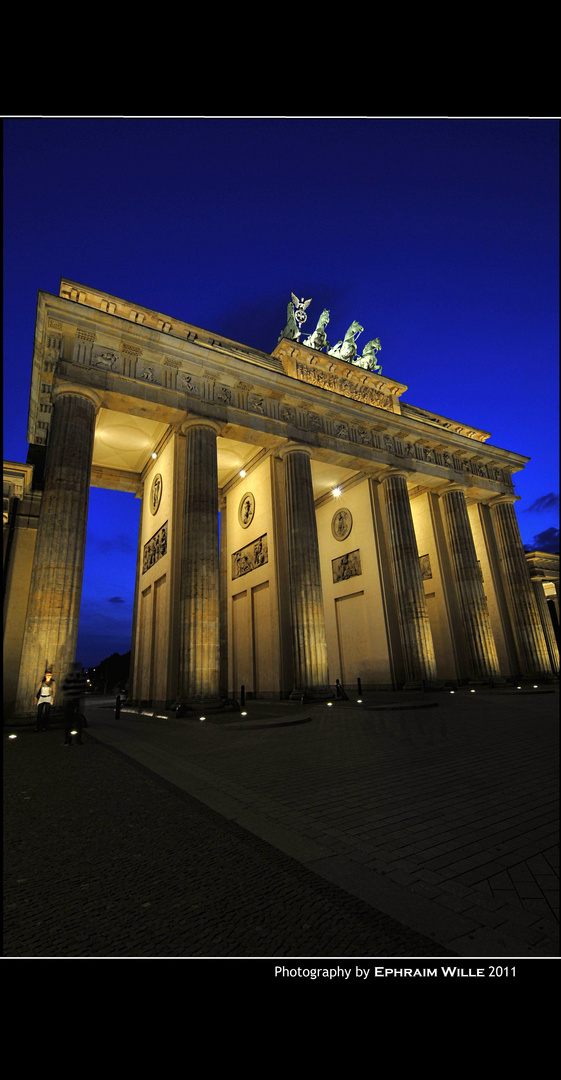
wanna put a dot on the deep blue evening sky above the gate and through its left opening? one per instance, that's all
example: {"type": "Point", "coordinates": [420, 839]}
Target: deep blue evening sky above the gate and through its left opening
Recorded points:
{"type": "Point", "coordinates": [440, 236]}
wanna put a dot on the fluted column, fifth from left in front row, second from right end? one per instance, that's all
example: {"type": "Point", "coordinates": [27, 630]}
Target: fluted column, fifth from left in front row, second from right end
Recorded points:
{"type": "Point", "coordinates": [475, 612]}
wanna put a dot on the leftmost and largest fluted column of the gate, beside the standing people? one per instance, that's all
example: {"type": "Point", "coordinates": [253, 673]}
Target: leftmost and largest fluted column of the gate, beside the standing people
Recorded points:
{"type": "Point", "coordinates": [54, 612]}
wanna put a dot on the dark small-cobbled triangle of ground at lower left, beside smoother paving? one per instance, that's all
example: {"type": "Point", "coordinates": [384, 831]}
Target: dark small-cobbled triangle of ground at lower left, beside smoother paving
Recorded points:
{"type": "Point", "coordinates": [105, 859]}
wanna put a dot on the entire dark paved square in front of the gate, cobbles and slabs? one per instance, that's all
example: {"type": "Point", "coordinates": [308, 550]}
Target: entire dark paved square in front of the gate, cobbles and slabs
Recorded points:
{"type": "Point", "coordinates": [416, 827]}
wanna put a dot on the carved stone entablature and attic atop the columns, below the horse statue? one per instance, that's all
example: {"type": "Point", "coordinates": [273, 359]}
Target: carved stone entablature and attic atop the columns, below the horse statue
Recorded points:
{"type": "Point", "coordinates": [343, 412]}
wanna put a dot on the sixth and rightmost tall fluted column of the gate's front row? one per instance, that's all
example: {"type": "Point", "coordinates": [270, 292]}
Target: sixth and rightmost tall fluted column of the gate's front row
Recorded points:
{"type": "Point", "coordinates": [525, 615]}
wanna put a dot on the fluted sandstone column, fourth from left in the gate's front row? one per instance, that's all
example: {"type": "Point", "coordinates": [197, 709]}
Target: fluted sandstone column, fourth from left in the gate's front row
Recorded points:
{"type": "Point", "coordinates": [417, 638]}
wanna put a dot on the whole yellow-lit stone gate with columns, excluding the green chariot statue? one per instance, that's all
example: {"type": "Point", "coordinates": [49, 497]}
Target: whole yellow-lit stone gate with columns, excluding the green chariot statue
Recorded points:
{"type": "Point", "coordinates": [250, 571]}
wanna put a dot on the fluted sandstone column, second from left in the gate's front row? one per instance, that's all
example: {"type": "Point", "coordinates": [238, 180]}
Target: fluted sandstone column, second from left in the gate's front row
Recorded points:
{"type": "Point", "coordinates": [201, 614]}
